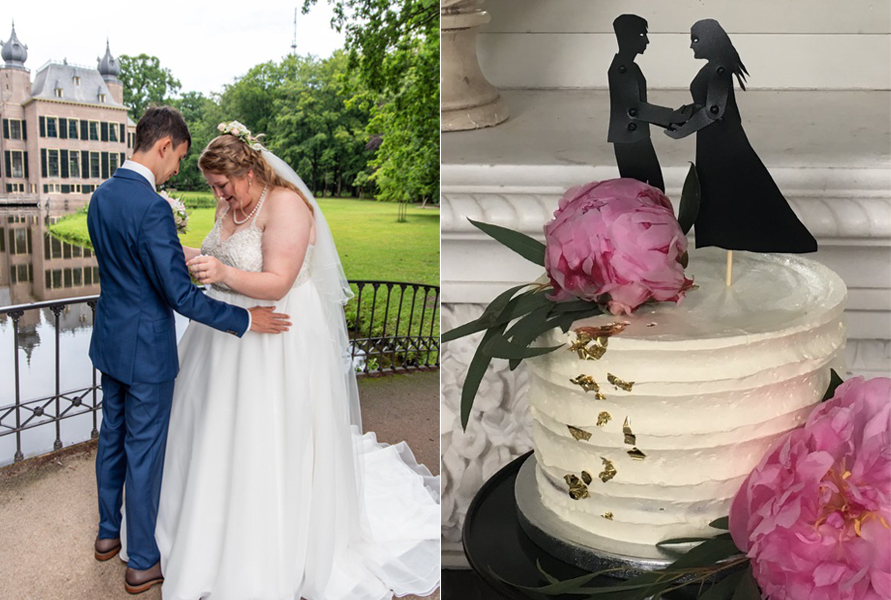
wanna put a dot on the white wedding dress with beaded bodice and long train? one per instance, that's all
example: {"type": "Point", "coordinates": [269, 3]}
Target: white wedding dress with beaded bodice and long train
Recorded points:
{"type": "Point", "coordinates": [268, 492]}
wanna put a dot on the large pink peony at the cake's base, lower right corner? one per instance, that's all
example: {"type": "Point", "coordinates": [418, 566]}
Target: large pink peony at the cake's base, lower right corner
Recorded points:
{"type": "Point", "coordinates": [814, 515]}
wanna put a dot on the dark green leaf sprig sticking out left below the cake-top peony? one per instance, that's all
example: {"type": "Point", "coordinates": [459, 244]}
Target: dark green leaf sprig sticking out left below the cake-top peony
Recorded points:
{"type": "Point", "coordinates": [514, 319]}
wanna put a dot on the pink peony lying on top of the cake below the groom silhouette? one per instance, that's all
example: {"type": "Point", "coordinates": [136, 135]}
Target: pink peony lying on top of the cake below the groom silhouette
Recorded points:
{"type": "Point", "coordinates": [615, 241]}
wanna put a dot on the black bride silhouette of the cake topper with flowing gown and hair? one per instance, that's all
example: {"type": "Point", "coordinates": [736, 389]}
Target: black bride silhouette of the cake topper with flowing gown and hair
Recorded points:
{"type": "Point", "coordinates": [741, 207]}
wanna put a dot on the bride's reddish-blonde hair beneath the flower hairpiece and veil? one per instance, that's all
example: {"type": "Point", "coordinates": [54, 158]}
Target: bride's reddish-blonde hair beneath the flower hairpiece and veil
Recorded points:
{"type": "Point", "coordinates": [228, 155]}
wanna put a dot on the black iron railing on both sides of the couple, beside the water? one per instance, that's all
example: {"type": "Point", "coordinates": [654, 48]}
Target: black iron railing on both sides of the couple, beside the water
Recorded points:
{"type": "Point", "coordinates": [394, 327]}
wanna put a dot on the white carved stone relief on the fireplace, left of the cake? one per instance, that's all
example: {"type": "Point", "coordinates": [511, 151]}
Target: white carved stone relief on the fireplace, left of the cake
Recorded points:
{"type": "Point", "coordinates": [498, 428]}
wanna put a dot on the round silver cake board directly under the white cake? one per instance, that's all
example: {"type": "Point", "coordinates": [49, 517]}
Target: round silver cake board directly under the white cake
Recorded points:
{"type": "Point", "coordinates": [579, 547]}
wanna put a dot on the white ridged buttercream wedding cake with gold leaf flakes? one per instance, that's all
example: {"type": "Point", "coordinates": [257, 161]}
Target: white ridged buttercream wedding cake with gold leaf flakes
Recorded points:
{"type": "Point", "coordinates": [646, 425]}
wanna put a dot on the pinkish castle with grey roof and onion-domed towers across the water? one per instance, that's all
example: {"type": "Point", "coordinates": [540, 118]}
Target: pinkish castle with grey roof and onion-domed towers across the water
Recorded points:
{"type": "Point", "coordinates": [64, 133]}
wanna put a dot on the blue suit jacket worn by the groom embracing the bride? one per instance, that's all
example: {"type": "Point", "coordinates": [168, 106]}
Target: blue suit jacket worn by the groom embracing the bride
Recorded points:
{"type": "Point", "coordinates": [143, 280]}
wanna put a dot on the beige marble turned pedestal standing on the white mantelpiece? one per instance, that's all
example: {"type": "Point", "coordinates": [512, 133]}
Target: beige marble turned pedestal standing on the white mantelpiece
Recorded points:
{"type": "Point", "coordinates": [469, 101]}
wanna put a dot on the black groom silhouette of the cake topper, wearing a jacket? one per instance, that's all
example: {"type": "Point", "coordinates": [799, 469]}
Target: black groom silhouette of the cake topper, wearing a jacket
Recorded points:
{"type": "Point", "coordinates": [630, 114]}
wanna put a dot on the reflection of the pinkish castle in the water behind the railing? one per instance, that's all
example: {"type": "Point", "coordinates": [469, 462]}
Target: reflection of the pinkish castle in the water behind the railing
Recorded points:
{"type": "Point", "coordinates": [35, 267]}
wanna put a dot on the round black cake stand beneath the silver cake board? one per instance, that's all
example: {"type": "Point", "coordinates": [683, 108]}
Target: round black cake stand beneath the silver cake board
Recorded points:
{"type": "Point", "coordinates": [499, 549]}
